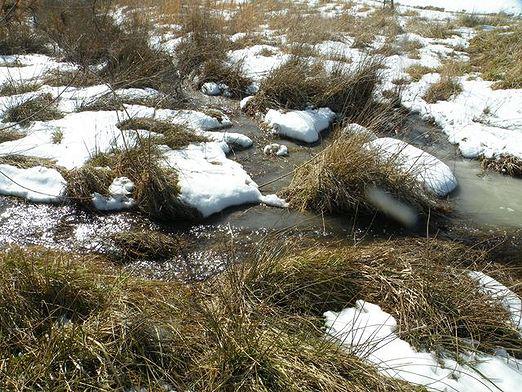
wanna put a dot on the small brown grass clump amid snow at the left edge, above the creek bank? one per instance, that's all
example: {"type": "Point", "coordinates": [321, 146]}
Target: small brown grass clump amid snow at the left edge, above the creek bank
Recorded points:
{"type": "Point", "coordinates": [39, 108]}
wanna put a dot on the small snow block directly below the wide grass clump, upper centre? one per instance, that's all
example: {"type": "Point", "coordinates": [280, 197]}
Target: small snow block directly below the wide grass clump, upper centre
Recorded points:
{"type": "Point", "coordinates": [304, 125]}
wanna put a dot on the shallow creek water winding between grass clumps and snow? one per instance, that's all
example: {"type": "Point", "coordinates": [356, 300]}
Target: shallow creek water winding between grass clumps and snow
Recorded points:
{"type": "Point", "coordinates": [482, 201]}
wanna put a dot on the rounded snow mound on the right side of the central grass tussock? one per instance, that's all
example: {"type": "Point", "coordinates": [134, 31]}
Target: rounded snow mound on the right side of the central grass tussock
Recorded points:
{"type": "Point", "coordinates": [434, 174]}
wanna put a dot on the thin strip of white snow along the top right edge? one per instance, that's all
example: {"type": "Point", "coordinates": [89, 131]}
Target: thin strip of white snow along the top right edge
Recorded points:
{"type": "Point", "coordinates": [484, 6]}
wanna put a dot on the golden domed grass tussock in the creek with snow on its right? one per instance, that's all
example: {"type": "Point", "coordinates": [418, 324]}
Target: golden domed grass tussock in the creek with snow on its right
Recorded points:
{"type": "Point", "coordinates": [342, 176]}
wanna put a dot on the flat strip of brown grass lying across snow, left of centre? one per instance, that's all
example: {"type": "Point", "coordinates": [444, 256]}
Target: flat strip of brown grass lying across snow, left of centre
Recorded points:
{"type": "Point", "coordinates": [174, 135]}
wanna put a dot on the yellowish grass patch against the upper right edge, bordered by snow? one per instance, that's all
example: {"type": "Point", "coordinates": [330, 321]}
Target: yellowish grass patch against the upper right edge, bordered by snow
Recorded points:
{"type": "Point", "coordinates": [496, 54]}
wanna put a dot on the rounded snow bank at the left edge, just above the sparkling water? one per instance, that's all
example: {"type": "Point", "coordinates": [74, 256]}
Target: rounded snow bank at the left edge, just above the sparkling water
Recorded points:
{"type": "Point", "coordinates": [37, 184]}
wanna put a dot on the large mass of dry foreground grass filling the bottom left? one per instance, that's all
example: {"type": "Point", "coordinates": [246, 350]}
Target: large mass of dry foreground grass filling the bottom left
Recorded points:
{"type": "Point", "coordinates": [72, 321]}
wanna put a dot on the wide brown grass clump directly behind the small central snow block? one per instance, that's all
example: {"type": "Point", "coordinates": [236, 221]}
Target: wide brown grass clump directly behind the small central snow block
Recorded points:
{"type": "Point", "coordinates": [343, 91]}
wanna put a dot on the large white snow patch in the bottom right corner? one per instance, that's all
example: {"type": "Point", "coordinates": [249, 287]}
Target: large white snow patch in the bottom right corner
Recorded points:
{"type": "Point", "coordinates": [371, 334]}
